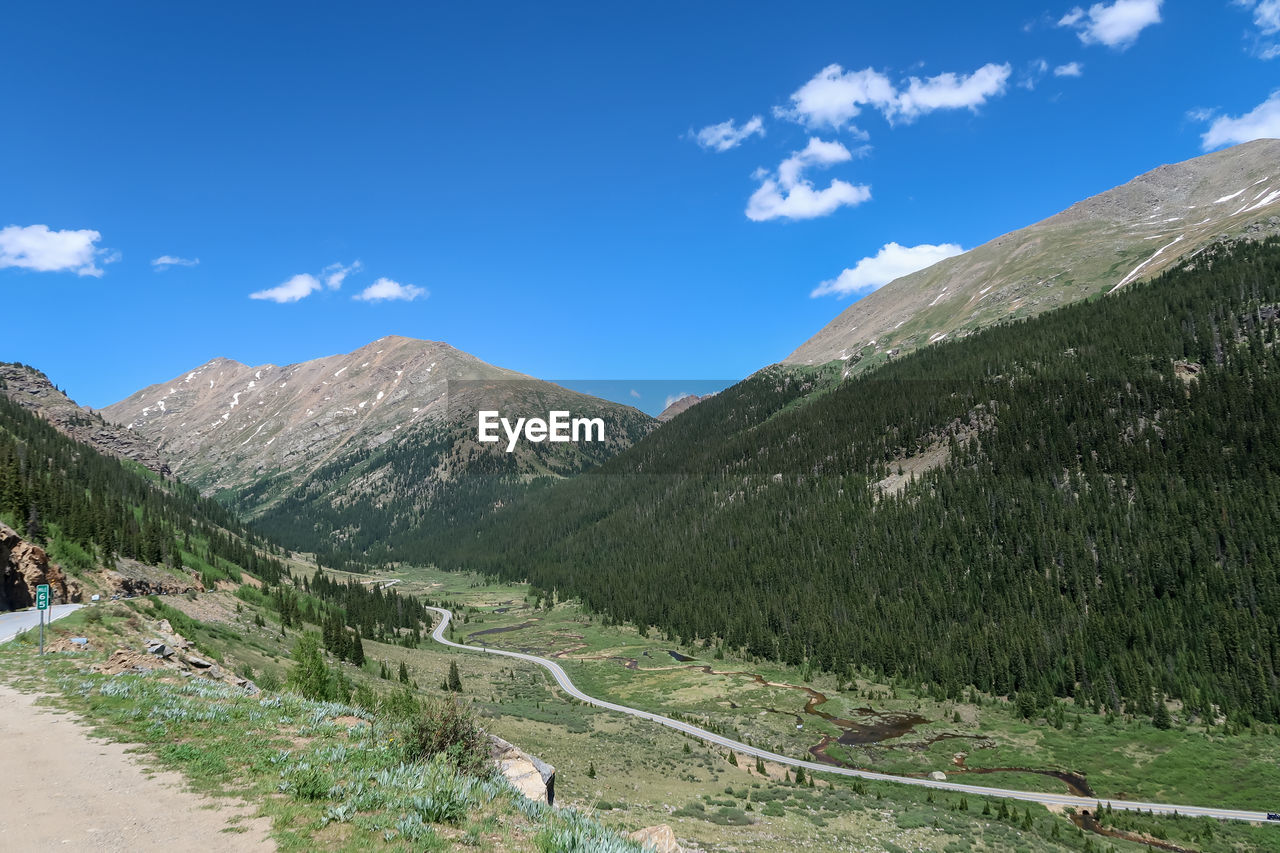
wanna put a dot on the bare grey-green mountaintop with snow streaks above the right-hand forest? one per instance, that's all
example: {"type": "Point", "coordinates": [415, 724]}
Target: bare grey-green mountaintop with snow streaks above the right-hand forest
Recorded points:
{"type": "Point", "coordinates": [1100, 245]}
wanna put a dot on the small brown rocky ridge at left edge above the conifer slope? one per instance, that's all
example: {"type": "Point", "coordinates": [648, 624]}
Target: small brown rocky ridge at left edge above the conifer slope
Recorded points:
{"type": "Point", "coordinates": [33, 390]}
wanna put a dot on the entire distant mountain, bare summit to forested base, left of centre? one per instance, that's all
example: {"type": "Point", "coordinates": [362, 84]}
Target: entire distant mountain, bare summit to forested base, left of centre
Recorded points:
{"type": "Point", "coordinates": [348, 454]}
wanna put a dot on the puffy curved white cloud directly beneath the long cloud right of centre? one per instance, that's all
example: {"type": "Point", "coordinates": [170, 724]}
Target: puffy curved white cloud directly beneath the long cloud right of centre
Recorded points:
{"type": "Point", "coordinates": [788, 195]}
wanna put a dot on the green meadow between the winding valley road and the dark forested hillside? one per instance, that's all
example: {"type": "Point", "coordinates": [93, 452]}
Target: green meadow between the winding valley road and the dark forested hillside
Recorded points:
{"type": "Point", "coordinates": [1122, 760]}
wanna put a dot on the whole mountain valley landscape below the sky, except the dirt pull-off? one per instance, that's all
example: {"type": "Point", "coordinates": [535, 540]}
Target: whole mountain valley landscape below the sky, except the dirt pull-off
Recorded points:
{"type": "Point", "coordinates": [1002, 577]}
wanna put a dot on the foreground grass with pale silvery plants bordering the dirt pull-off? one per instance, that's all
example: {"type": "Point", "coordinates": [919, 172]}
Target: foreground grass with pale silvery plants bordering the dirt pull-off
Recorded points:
{"type": "Point", "coordinates": [324, 784]}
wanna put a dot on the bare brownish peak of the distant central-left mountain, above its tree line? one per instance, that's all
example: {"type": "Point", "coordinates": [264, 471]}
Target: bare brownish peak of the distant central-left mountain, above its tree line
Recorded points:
{"type": "Point", "coordinates": [235, 426]}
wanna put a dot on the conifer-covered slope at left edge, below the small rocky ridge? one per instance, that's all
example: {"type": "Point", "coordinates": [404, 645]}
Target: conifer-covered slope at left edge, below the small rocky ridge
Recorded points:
{"type": "Point", "coordinates": [103, 519]}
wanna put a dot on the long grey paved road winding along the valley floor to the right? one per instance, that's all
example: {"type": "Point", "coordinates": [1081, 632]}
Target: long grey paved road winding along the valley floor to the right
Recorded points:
{"type": "Point", "coordinates": [811, 767]}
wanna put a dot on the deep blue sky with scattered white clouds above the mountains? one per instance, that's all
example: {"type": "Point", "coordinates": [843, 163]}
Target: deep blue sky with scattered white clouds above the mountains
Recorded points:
{"type": "Point", "coordinates": [545, 185]}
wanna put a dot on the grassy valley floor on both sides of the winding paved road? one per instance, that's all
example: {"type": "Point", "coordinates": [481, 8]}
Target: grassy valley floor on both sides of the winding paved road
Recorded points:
{"type": "Point", "coordinates": [641, 784]}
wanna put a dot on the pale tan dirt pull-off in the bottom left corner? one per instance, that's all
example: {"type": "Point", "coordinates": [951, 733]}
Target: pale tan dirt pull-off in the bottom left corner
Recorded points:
{"type": "Point", "coordinates": [67, 791]}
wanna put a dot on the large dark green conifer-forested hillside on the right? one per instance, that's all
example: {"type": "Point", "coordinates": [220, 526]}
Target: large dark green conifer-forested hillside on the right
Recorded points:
{"type": "Point", "coordinates": [1086, 504]}
